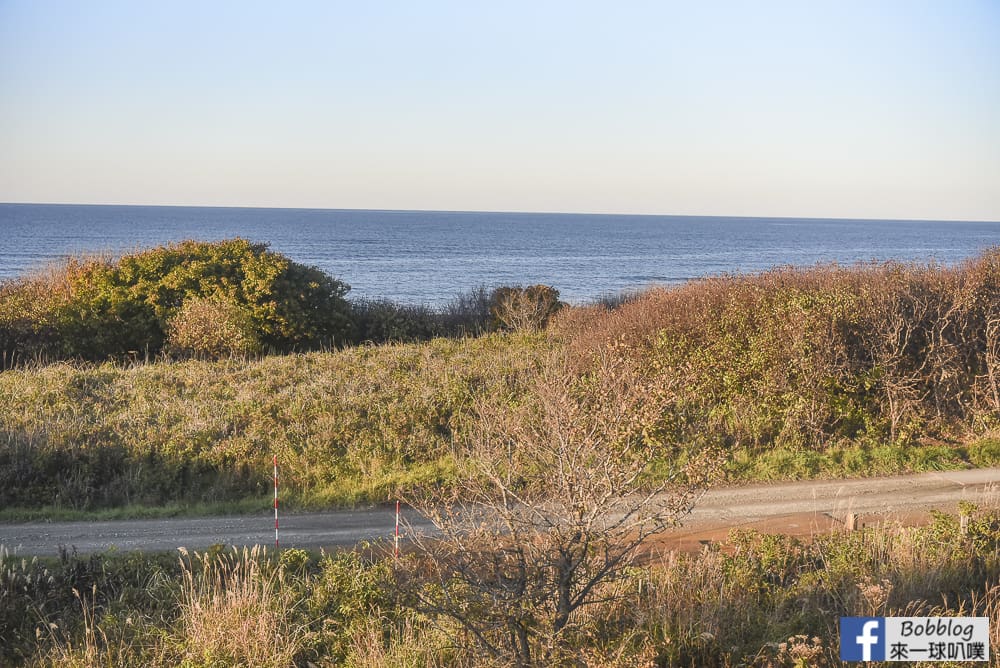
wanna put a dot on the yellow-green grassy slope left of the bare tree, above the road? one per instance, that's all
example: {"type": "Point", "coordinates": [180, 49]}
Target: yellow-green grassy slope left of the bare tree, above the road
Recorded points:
{"type": "Point", "coordinates": [347, 426]}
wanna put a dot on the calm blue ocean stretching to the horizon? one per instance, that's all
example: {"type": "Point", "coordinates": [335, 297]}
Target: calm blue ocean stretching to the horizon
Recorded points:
{"type": "Point", "coordinates": [428, 257]}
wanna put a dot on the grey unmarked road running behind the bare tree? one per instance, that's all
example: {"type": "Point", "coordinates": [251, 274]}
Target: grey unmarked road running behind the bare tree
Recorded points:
{"type": "Point", "coordinates": [718, 509]}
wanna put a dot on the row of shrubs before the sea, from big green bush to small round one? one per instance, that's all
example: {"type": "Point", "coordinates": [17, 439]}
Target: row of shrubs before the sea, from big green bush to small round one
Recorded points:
{"type": "Point", "coordinates": [225, 298]}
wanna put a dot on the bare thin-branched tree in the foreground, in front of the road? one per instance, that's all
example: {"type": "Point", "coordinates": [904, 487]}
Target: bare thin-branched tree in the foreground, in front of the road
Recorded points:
{"type": "Point", "coordinates": [555, 501]}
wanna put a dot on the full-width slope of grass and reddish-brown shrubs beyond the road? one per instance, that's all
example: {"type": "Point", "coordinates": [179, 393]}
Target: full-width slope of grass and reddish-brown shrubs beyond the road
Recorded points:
{"type": "Point", "coordinates": [819, 372]}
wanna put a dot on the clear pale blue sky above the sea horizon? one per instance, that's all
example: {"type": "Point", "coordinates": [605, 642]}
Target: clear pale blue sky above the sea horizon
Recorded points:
{"type": "Point", "coordinates": [829, 109]}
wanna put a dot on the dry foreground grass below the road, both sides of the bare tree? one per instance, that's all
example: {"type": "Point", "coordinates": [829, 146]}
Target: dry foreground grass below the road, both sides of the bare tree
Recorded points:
{"type": "Point", "coordinates": [764, 601]}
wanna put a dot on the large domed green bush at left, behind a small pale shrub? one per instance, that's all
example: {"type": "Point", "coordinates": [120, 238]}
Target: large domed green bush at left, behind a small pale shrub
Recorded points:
{"type": "Point", "coordinates": [95, 308]}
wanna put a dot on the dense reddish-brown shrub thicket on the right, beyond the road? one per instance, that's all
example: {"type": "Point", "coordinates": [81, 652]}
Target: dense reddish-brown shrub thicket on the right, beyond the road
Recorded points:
{"type": "Point", "coordinates": [803, 359]}
